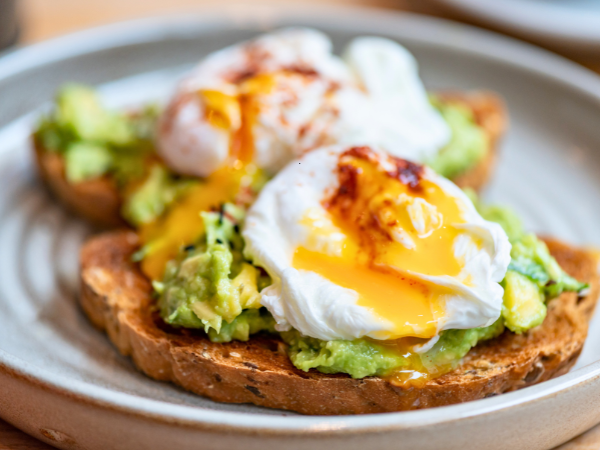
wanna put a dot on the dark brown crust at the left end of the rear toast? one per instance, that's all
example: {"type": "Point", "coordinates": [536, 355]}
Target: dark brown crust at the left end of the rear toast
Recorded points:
{"type": "Point", "coordinates": [98, 201]}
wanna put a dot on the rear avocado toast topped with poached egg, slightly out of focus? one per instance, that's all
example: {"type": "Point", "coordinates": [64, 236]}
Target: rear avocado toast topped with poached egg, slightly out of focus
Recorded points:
{"type": "Point", "coordinates": [264, 101]}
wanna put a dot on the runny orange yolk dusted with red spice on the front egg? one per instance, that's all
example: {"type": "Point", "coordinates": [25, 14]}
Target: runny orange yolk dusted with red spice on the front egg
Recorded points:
{"type": "Point", "coordinates": [393, 221]}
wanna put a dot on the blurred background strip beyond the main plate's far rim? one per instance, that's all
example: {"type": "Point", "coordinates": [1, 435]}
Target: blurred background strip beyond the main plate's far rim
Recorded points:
{"type": "Point", "coordinates": [568, 27]}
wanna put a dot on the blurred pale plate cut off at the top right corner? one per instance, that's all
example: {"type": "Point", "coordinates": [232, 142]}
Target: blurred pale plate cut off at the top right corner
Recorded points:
{"type": "Point", "coordinates": [573, 23]}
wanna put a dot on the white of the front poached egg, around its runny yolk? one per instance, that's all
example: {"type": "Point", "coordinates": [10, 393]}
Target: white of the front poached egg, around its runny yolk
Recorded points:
{"type": "Point", "coordinates": [319, 308]}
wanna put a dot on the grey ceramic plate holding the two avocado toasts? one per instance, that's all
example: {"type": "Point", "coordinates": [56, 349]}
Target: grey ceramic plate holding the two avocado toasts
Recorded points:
{"type": "Point", "coordinates": [62, 381]}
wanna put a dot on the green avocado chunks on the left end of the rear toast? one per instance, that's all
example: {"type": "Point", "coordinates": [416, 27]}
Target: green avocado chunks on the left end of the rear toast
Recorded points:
{"type": "Point", "coordinates": [96, 142]}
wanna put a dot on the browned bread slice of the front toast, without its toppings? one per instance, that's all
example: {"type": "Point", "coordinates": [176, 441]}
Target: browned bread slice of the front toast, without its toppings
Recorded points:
{"type": "Point", "coordinates": [118, 298]}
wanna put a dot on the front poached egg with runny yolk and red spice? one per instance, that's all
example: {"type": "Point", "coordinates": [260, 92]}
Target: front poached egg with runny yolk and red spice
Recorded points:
{"type": "Point", "coordinates": [363, 244]}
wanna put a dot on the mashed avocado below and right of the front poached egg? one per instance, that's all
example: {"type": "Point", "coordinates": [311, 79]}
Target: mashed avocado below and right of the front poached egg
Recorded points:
{"type": "Point", "coordinates": [533, 278]}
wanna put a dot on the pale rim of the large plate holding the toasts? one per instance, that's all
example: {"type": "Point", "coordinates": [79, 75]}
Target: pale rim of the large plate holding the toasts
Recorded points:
{"type": "Point", "coordinates": [449, 34]}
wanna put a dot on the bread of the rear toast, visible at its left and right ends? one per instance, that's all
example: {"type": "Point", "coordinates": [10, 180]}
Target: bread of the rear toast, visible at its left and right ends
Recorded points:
{"type": "Point", "coordinates": [99, 201]}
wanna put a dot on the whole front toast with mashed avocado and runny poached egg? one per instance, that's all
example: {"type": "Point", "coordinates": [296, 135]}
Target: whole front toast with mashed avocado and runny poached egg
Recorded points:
{"type": "Point", "coordinates": [382, 287]}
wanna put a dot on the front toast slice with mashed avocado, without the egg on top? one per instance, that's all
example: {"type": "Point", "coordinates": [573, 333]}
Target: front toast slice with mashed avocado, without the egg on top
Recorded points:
{"type": "Point", "coordinates": [181, 327]}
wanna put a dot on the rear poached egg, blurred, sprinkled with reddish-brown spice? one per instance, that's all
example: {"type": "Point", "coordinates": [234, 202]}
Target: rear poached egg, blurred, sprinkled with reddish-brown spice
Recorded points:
{"type": "Point", "coordinates": [273, 98]}
